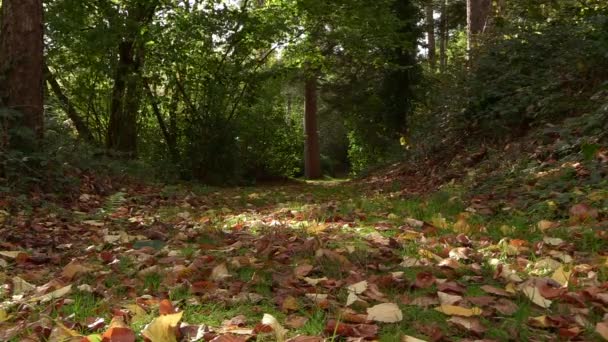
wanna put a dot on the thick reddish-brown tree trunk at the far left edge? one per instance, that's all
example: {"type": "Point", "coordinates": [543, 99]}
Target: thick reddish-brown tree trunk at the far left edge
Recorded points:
{"type": "Point", "coordinates": [21, 67]}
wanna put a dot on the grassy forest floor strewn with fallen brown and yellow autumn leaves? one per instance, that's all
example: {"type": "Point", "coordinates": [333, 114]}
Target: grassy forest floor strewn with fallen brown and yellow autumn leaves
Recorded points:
{"type": "Point", "coordinates": [301, 262]}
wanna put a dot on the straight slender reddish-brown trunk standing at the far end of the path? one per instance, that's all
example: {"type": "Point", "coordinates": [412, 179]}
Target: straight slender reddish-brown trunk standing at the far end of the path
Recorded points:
{"type": "Point", "coordinates": [312, 154]}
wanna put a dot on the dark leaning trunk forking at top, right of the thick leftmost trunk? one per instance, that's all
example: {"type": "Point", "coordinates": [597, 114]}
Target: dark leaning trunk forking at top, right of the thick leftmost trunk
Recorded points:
{"type": "Point", "coordinates": [124, 107]}
